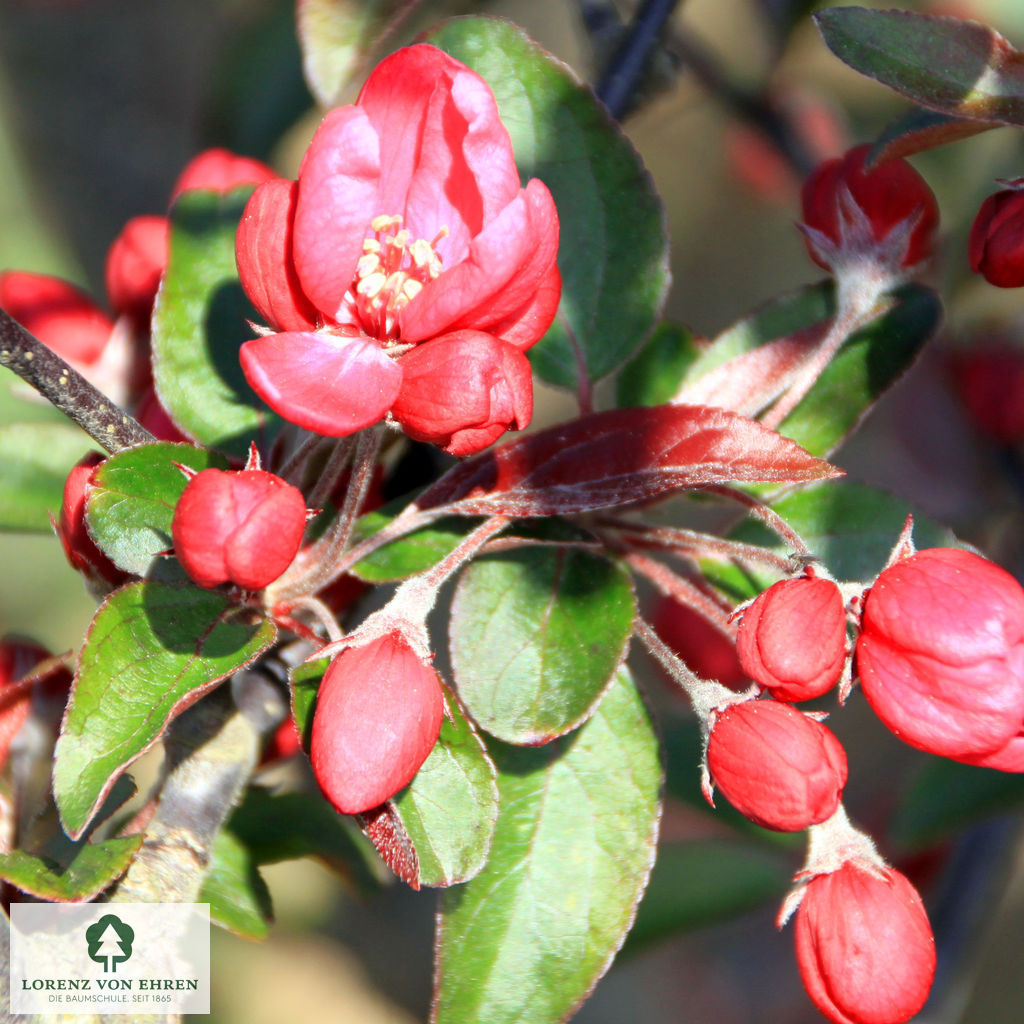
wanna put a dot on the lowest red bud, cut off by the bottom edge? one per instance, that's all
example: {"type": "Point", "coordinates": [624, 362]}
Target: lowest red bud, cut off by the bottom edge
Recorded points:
{"type": "Point", "coordinates": [865, 946]}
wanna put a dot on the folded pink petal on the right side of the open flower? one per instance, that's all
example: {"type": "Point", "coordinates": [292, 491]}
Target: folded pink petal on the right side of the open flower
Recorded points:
{"type": "Point", "coordinates": [508, 279]}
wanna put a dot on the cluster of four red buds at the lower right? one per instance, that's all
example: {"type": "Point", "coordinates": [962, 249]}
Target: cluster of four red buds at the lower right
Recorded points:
{"type": "Point", "coordinates": [938, 650]}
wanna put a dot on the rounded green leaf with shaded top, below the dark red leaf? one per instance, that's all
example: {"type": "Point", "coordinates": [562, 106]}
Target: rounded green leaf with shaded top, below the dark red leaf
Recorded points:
{"type": "Point", "coordinates": [537, 636]}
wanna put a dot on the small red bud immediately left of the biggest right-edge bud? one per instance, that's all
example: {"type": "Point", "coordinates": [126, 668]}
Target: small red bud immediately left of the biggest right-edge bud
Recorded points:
{"type": "Point", "coordinates": [792, 641]}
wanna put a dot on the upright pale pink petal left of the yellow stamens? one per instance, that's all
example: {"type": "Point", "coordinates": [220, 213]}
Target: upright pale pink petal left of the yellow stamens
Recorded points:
{"type": "Point", "coordinates": [337, 200]}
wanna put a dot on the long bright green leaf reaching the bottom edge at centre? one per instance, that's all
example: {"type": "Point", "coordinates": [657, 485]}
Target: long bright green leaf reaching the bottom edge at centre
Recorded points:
{"type": "Point", "coordinates": [529, 937]}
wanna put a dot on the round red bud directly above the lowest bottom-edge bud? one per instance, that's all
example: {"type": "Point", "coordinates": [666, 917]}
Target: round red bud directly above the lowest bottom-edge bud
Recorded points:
{"type": "Point", "coordinates": [776, 765]}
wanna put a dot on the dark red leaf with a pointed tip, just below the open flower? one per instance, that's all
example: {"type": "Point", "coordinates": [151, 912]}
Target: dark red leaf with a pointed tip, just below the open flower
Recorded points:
{"type": "Point", "coordinates": [619, 457]}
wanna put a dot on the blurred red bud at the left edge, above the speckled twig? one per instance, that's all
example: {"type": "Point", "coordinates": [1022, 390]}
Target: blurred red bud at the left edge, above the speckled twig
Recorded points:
{"type": "Point", "coordinates": [62, 317]}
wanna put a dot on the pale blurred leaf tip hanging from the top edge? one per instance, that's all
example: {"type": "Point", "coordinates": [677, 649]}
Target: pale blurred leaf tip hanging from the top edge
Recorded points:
{"type": "Point", "coordinates": [336, 37]}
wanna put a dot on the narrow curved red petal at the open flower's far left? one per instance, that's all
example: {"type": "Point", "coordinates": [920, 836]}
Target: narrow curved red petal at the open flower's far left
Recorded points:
{"type": "Point", "coordinates": [264, 251]}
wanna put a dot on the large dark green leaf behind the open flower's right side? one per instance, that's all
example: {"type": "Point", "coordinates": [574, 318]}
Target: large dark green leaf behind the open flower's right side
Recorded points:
{"type": "Point", "coordinates": [614, 246]}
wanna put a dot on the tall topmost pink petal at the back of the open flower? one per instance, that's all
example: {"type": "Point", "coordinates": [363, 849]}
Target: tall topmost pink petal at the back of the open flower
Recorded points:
{"type": "Point", "coordinates": [446, 157]}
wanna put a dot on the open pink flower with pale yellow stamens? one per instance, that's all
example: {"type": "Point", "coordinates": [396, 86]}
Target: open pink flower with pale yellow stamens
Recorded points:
{"type": "Point", "coordinates": [408, 224]}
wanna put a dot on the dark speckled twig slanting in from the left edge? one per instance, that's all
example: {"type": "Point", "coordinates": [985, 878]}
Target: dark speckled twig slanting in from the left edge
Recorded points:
{"type": "Point", "coordinates": [109, 425]}
